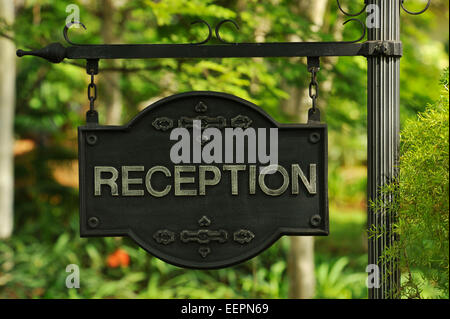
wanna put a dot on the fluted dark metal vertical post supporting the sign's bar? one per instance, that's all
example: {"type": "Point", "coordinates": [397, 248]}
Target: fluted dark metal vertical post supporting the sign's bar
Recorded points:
{"type": "Point", "coordinates": [383, 143]}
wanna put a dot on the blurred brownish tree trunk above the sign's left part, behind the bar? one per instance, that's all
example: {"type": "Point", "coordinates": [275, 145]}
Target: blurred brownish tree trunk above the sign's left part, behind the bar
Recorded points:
{"type": "Point", "coordinates": [110, 84]}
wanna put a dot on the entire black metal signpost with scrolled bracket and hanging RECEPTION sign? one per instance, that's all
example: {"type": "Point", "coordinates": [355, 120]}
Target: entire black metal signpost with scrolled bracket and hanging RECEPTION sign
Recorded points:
{"type": "Point", "coordinates": [138, 215]}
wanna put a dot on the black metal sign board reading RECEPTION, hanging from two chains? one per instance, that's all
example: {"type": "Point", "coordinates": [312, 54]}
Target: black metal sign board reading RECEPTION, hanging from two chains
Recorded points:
{"type": "Point", "coordinates": [201, 215]}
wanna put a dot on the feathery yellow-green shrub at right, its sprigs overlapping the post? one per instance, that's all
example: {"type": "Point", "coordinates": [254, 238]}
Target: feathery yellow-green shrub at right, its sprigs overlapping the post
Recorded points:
{"type": "Point", "coordinates": [421, 202]}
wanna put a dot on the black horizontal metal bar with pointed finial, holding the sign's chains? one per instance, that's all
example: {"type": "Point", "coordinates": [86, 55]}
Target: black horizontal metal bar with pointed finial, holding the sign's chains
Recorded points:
{"type": "Point", "coordinates": [56, 53]}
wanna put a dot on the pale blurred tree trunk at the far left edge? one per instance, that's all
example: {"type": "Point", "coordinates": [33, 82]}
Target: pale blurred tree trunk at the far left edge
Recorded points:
{"type": "Point", "coordinates": [7, 106]}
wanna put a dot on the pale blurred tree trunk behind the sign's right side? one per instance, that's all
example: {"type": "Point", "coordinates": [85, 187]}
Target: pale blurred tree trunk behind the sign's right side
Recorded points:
{"type": "Point", "coordinates": [301, 254]}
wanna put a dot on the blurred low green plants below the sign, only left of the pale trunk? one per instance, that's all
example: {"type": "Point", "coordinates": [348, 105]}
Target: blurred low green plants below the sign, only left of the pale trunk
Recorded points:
{"type": "Point", "coordinates": [31, 268]}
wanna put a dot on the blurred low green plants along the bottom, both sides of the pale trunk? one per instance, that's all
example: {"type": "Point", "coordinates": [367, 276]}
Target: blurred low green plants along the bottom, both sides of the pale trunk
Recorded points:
{"type": "Point", "coordinates": [33, 263]}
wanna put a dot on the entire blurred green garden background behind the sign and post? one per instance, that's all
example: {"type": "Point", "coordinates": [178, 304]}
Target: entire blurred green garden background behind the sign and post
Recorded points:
{"type": "Point", "coordinates": [49, 101]}
